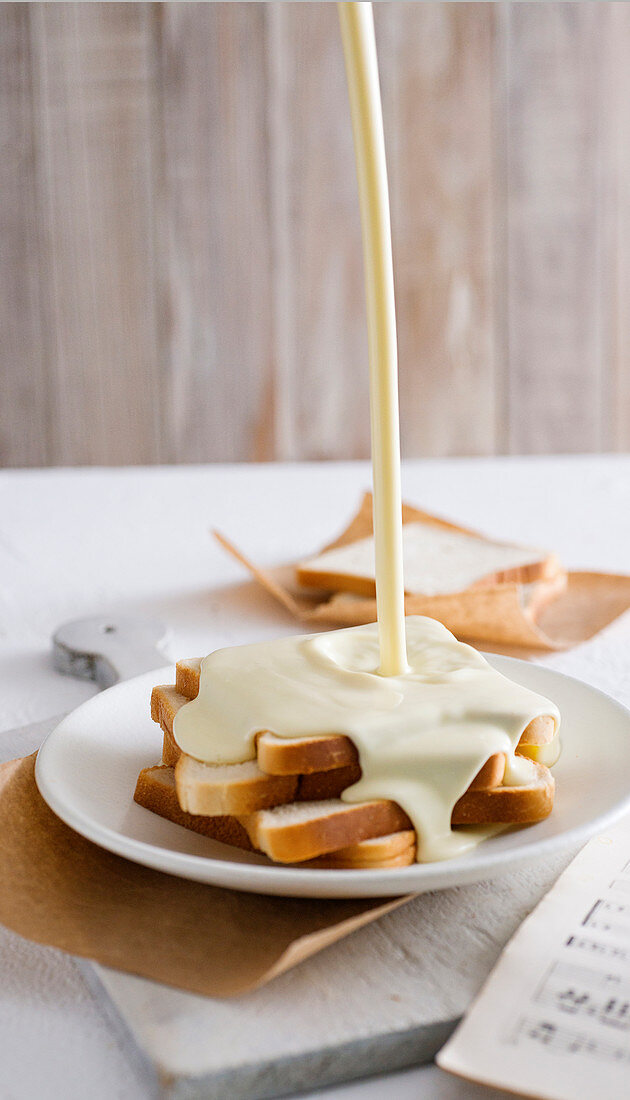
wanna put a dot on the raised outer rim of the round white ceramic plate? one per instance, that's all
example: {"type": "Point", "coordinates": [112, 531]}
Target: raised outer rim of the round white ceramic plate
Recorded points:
{"type": "Point", "coordinates": [316, 883]}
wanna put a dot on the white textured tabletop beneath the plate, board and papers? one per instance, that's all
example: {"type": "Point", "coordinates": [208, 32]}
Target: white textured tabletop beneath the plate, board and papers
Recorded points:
{"type": "Point", "coordinates": [90, 542]}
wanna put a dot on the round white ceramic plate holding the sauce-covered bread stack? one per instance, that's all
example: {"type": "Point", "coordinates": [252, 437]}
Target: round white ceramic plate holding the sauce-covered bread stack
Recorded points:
{"type": "Point", "coordinates": [89, 766]}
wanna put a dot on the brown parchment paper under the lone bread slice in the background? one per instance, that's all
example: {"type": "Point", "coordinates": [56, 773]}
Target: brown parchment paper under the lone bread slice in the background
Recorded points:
{"type": "Point", "coordinates": [515, 618]}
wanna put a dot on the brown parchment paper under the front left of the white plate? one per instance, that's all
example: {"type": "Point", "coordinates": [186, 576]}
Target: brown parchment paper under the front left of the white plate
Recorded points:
{"type": "Point", "coordinates": [61, 890]}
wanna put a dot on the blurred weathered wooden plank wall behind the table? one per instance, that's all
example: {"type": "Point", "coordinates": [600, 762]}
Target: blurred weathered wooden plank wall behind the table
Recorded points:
{"type": "Point", "coordinates": [181, 254]}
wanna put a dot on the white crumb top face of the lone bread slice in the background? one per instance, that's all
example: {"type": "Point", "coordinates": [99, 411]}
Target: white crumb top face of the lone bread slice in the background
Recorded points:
{"type": "Point", "coordinates": [437, 562]}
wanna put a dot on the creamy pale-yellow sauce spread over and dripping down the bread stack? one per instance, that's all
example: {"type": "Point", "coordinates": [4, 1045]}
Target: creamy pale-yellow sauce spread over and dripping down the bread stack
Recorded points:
{"type": "Point", "coordinates": [422, 738]}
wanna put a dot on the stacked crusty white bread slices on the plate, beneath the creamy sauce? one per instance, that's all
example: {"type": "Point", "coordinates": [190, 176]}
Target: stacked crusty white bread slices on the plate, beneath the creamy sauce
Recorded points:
{"type": "Point", "coordinates": [288, 802]}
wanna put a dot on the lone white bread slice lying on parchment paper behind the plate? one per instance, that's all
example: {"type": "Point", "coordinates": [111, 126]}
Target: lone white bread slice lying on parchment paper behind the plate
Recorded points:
{"type": "Point", "coordinates": [439, 560]}
